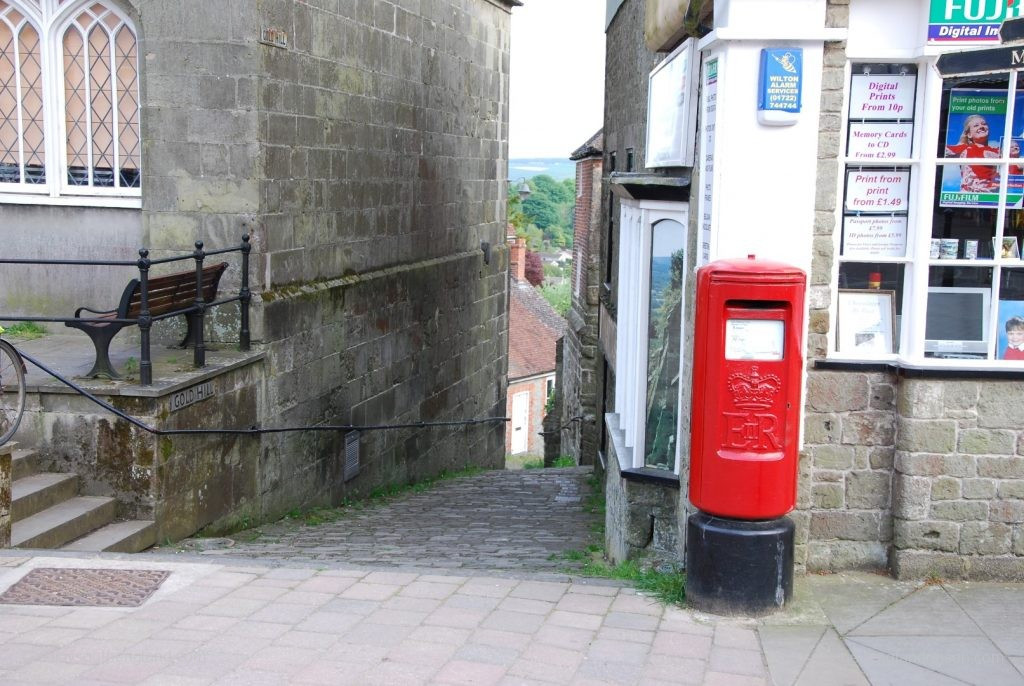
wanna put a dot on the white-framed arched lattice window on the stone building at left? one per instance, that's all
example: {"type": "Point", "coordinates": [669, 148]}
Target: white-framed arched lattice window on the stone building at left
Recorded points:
{"type": "Point", "coordinates": [69, 102]}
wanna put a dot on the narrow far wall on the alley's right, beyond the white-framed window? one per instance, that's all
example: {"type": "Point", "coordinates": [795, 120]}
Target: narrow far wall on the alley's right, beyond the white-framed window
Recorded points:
{"type": "Point", "coordinates": [581, 381]}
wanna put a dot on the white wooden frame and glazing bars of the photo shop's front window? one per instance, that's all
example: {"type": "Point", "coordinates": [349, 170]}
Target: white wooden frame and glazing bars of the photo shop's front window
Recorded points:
{"type": "Point", "coordinates": [924, 166]}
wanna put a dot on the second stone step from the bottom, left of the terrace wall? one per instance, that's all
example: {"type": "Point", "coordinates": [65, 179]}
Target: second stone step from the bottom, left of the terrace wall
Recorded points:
{"type": "Point", "coordinates": [69, 521]}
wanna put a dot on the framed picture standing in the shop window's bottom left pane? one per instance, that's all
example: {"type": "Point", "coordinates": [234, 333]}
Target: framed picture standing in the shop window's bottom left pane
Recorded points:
{"type": "Point", "coordinates": [867, 322]}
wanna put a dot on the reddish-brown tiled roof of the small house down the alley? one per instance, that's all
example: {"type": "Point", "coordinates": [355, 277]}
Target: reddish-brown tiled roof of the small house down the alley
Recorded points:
{"type": "Point", "coordinates": [534, 330]}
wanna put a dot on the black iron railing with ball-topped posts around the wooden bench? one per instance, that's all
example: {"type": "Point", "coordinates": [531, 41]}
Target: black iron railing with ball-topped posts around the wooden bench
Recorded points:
{"type": "Point", "coordinates": [196, 313]}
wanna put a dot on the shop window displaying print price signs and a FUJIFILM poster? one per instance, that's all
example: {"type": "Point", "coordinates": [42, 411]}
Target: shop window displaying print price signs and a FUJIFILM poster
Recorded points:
{"type": "Point", "coordinates": [930, 266]}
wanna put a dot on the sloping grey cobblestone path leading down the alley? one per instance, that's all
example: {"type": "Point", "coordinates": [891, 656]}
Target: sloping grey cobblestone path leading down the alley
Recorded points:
{"type": "Point", "coordinates": [499, 521]}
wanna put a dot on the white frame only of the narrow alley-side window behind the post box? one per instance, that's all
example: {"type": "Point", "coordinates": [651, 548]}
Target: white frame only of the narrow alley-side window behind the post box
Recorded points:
{"type": "Point", "coordinates": [637, 220]}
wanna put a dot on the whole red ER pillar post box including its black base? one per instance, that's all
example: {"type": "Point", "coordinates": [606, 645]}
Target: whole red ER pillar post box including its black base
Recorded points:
{"type": "Point", "coordinates": [748, 367]}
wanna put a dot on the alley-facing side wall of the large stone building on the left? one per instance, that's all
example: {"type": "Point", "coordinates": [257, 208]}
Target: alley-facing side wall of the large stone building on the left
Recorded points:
{"type": "Point", "coordinates": [383, 132]}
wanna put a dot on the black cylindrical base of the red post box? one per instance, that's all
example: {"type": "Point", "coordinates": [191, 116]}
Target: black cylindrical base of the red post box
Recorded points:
{"type": "Point", "coordinates": [739, 568]}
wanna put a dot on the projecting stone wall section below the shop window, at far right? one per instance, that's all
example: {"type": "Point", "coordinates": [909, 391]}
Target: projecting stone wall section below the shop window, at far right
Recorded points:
{"type": "Point", "coordinates": [959, 482]}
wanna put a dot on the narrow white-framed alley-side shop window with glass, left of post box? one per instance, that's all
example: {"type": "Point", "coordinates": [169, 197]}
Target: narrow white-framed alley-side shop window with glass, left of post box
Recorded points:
{"type": "Point", "coordinates": [652, 268]}
